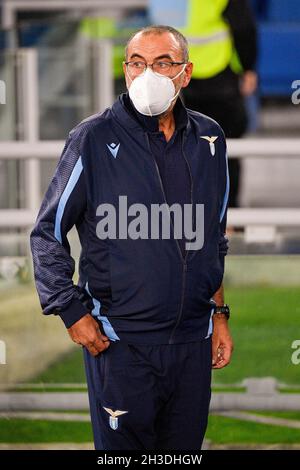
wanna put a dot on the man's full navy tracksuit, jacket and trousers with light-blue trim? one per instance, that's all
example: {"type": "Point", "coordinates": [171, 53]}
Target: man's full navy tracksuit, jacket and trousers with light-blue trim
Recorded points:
{"type": "Point", "coordinates": [152, 298]}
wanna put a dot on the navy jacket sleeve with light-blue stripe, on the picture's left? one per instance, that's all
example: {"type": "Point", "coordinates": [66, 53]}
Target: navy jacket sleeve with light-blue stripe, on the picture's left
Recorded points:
{"type": "Point", "coordinates": [63, 206]}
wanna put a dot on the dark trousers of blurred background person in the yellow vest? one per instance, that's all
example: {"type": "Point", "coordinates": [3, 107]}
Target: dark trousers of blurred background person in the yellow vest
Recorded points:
{"type": "Point", "coordinates": [219, 98]}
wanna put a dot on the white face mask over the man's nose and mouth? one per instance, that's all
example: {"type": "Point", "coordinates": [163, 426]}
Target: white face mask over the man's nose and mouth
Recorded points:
{"type": "Point", "coordinates": [153, 93]}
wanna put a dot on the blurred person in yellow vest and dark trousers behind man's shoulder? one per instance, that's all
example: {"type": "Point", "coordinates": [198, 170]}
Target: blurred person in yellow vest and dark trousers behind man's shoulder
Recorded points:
{"type": "Point", "coordinates": [223, 44]}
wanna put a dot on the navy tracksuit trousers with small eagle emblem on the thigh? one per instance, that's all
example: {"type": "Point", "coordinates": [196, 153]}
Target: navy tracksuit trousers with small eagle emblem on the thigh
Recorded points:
{"type": "Point", "coordinates": [149, 397]}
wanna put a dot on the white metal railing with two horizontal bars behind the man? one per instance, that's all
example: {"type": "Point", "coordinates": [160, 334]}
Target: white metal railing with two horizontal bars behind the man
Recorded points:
{"type": "Point", "coordinates": [34, 152]}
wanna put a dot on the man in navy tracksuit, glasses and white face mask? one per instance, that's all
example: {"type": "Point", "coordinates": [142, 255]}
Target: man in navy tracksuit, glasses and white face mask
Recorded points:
{"type": "Point", "coordinates": [148, 310]}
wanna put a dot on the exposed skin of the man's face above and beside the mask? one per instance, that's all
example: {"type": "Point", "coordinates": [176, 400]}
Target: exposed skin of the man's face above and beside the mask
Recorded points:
{"type": "Point", "coordinates": [164, 47]}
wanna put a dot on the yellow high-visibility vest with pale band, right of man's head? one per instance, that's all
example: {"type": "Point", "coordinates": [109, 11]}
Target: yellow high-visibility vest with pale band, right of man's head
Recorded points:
{"type": "Point", "coordinates": [210, 43]}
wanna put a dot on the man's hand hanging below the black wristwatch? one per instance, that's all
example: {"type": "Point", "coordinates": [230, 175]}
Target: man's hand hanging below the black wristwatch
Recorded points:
{"type": "Point", "coordinates": [222, 344]}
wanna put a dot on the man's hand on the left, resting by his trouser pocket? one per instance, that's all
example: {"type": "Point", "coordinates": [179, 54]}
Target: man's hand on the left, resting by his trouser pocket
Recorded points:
{"type": "Point", "coordinates": [86, 332]}
